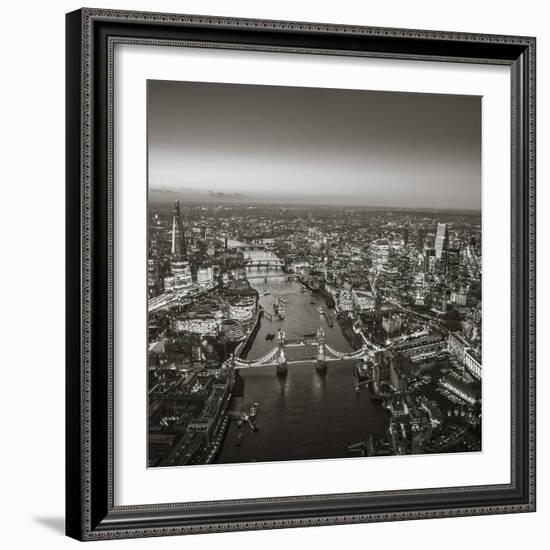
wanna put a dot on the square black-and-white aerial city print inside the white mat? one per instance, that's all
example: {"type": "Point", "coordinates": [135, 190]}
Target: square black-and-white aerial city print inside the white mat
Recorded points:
{"type": "Point", "coordinates": [314, 274]}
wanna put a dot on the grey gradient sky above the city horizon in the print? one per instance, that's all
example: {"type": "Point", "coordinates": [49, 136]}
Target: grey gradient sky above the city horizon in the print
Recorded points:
{"type": "Point", "coordinates": [255, 143]}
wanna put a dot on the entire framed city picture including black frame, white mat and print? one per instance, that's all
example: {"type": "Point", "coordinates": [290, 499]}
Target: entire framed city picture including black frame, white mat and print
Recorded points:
{"type": "Point", "coordinates": [300, 274]}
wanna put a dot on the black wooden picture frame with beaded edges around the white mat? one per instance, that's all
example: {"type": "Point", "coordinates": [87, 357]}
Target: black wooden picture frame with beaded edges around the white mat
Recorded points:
{"type": "Point", "coordinates": [90, 510]}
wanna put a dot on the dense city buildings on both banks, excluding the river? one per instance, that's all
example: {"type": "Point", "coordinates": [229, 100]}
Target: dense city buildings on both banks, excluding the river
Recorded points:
{"type": "Point", "coordinates": [405, 286]}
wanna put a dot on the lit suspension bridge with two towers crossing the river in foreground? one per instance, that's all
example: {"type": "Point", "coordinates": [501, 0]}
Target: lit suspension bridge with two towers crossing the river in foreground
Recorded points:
{"type": "Point", "coordinates": [277, 357]}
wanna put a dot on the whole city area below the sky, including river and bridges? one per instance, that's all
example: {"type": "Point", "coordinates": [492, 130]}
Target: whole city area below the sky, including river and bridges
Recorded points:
{"type": "Point", "coordinates": [268, 323]}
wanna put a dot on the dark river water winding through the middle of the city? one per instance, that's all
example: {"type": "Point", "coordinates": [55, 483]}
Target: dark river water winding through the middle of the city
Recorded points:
{"type": "Point", "coordinates": [305, 415]}
